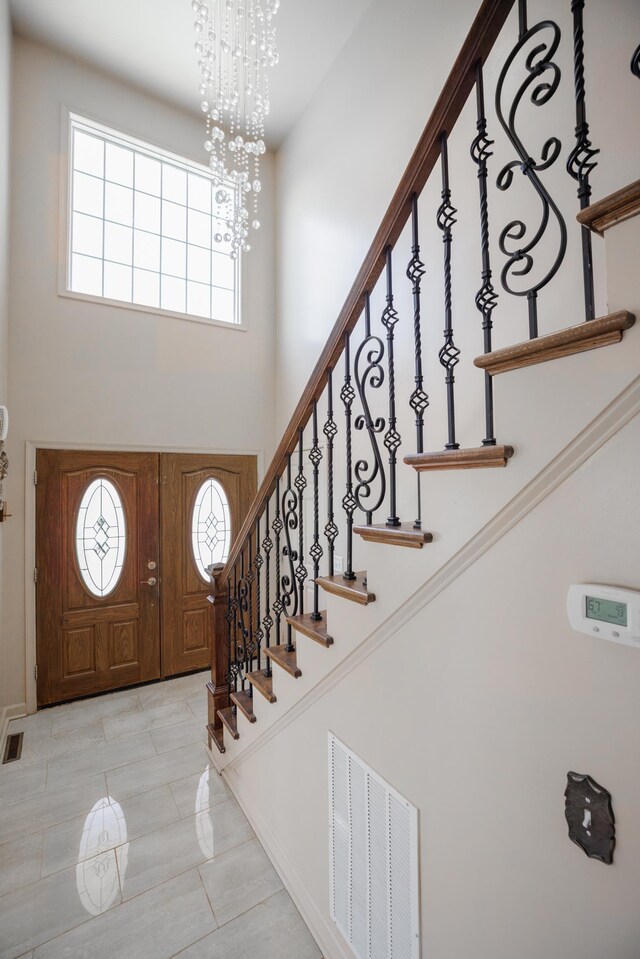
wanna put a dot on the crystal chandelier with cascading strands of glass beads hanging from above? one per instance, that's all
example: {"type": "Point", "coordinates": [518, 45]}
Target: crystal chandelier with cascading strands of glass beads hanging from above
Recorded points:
{"type": "Point", "coordinates": [236, 46]}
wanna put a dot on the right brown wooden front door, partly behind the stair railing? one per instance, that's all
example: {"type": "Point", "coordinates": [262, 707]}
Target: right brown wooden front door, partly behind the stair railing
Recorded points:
{"type": "Point", "coordinates": [203, 502]}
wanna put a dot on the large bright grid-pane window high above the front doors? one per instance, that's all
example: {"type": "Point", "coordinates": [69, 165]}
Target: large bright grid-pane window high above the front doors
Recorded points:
{"type": "Point", "coordinates": [147, 228]}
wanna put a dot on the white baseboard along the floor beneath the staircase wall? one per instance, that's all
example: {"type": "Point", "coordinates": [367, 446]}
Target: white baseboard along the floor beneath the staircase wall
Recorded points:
{"type": "Point", "coordinates": [325, 933]}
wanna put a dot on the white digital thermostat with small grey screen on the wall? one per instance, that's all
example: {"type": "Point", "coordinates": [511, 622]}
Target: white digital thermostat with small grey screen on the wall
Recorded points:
{"type": "Point", "coordinates": [606, 612]}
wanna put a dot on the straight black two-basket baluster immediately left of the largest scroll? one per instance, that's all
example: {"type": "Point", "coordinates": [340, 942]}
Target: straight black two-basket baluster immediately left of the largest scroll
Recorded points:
{"type": "Point", "coordinates": [486, 297]}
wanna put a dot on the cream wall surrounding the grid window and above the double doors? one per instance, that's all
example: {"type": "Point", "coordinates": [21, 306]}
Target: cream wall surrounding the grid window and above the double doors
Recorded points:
{"type": "Point", "coordinates": [85, 373]}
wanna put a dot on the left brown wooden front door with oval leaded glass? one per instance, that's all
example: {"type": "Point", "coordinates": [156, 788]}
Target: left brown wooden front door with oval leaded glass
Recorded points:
{"type": "Point", "coordinates": [98, 622]}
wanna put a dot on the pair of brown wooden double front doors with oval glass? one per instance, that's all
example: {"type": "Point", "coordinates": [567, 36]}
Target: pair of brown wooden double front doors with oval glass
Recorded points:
{"type": "Point", "coordinates": [122, 545]}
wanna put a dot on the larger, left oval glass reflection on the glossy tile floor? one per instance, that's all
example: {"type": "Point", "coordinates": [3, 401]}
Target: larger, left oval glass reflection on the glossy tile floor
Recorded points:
{"type": "Point", "coordinates": [97, 872]}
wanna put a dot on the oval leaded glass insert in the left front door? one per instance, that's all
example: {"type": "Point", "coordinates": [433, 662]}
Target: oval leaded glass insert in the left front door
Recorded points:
{"type": "Point", "coordinates": [101, 537]}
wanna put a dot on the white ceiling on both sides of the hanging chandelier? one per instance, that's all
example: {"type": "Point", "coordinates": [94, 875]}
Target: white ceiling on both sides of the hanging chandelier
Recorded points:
{"type": "Point", "coordinates": [150, 43]}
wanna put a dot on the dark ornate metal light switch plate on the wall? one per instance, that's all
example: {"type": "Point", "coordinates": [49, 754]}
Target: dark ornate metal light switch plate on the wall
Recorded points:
{"type": "Point", "coordinates": [590, 818]}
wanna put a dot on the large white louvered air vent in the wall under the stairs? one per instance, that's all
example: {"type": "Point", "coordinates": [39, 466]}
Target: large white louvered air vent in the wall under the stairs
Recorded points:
{"type": "Point", "coordinates": [373, 837]}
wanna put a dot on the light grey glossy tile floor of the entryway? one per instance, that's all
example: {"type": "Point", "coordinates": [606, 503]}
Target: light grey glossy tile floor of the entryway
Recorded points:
{"type": "Point", "coordinates": [119, 840]}
